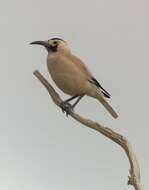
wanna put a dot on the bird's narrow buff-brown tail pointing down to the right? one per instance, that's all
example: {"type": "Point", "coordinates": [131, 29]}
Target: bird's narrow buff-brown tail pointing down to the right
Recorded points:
{"type": "Point", "coordinates": [108, 107]}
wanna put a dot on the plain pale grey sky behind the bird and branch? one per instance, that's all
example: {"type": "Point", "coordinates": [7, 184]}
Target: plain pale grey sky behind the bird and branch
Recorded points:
{"type": "Point", "coordinates": [41, 149]}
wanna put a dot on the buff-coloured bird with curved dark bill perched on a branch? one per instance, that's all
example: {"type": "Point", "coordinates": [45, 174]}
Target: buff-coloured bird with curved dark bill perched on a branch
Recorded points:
{"type": "Point", "coordinates": [72, 76]}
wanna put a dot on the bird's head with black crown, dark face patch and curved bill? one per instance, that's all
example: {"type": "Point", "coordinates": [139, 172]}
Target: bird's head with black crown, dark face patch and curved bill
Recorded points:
{"type": "Point", "coordinates": [54, 45]}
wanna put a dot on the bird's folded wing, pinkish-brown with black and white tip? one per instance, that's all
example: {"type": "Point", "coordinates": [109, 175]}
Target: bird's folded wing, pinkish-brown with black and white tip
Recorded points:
{"type": "Point", "coordinates": [88, 74]}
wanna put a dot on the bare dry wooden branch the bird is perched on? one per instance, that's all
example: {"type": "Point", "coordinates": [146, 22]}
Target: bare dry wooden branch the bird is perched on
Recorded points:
{"type": "Point", "coordinates": [134, 177]}
